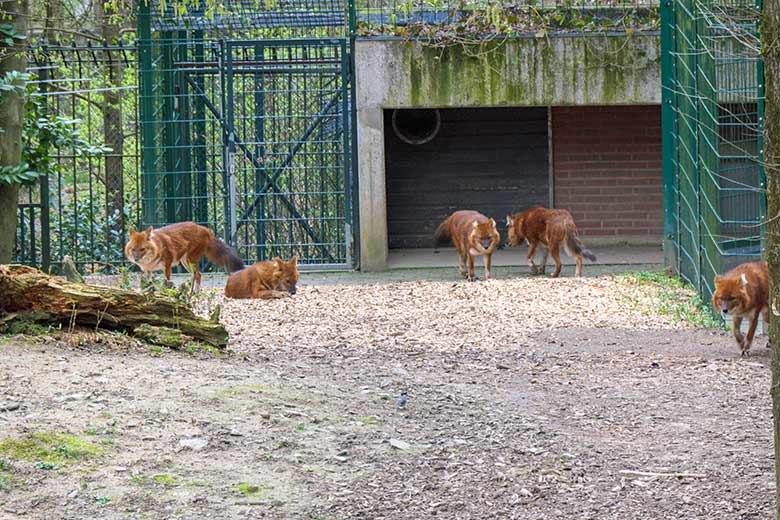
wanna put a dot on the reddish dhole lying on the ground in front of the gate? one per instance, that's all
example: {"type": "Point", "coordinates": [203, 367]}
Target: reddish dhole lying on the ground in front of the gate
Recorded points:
{"type": "Point", "coordinates": [274, 279]}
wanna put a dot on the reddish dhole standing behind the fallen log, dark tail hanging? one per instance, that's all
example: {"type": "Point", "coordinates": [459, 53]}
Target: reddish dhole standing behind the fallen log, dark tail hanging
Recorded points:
{"type": "Point", "coordinates": [185, 243]}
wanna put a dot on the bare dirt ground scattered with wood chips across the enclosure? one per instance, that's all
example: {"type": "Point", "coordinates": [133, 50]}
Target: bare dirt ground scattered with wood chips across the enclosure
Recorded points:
{"type": "Point", "coordinates": [528, 398]}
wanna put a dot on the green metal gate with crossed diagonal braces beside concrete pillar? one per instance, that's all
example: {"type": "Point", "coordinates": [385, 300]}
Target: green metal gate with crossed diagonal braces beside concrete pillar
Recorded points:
{"type": "Point", "coordinates": [289, 149]}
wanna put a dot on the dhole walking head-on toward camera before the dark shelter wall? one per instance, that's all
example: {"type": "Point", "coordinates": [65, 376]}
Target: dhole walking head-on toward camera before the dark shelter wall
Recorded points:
{"type": "Point", "coordinates": [473, 234]}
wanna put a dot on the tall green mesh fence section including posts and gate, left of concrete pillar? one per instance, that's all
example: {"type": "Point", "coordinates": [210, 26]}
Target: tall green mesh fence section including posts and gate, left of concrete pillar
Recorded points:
{"type": "Point", "coordinates": [249, 131]}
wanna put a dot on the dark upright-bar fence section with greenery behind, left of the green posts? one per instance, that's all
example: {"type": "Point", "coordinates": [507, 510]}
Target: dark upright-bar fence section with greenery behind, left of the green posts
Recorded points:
{"type": "Point", "coordinates": [85, 206]}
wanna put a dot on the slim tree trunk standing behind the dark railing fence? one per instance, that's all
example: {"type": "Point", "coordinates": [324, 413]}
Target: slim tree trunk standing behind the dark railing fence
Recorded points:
{"type": "Point", "coordinates": [112, 124]}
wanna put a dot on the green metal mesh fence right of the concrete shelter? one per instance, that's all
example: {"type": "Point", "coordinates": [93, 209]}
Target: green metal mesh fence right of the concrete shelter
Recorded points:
{"type": "Point", "coordinates": [714, 186]}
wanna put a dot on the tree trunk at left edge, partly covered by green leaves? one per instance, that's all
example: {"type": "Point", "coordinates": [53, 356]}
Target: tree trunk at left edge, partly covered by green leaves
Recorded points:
{"type": "Point", "coordinates": [12, 58]}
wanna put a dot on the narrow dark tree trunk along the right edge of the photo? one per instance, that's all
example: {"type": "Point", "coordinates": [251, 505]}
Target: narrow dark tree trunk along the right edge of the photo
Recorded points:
{"type": "Point", "coordinates": [769, 35]}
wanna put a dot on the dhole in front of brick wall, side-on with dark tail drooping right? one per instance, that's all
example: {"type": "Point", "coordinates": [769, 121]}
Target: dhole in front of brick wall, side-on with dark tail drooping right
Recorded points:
{"type": "Point", "coordinates": [553, 229]}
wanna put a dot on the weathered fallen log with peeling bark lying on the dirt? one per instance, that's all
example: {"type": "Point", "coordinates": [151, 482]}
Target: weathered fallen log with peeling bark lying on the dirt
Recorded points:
{"type": "Point", "coordinates": [29, 293]}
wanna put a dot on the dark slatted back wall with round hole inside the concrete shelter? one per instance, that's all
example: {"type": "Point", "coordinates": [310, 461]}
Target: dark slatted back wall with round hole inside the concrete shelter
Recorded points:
{"type": "Point", "coordinates": [493, 160]}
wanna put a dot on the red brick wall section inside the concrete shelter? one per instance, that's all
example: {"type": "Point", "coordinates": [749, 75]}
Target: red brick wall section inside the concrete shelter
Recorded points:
{"type": "Point", "coordinates": [607, 169]}
